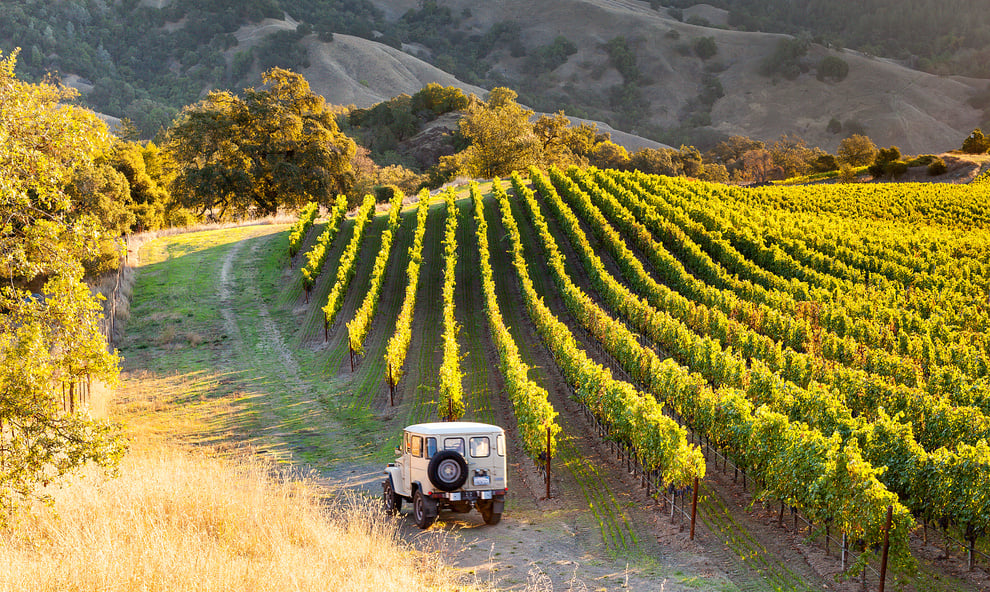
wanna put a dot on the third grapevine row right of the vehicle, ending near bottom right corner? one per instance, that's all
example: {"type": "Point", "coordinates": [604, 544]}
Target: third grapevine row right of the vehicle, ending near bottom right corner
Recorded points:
{"type": "Point", "coordinates": [828, 480]}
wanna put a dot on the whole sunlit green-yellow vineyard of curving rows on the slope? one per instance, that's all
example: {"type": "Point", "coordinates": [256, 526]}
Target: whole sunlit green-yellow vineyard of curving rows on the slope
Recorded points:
{"type": "Point", "coordinates": [828, 342]}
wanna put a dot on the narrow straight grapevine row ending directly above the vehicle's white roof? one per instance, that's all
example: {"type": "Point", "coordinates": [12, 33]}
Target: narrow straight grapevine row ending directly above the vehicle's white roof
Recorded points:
{"type": "Point", "coordinates": [450, 403]}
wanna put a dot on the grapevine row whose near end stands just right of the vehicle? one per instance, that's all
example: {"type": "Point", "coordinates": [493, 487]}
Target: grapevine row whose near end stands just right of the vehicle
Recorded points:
{"type": "Point", "coordinates": [530, 402]}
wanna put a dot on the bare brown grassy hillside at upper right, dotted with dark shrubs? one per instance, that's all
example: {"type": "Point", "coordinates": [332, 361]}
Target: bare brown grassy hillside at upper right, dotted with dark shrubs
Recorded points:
{"type": "Point", "coordinates": [893, 104]}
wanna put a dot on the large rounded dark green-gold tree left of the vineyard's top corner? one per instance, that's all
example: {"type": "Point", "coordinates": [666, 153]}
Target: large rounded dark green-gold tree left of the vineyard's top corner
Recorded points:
{"type": "Point", "coordinates": [275, 147]}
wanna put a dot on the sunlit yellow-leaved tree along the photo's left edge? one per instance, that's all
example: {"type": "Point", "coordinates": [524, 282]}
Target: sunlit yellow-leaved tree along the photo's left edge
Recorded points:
{"type": "Point", "coordinates": [48, 341]}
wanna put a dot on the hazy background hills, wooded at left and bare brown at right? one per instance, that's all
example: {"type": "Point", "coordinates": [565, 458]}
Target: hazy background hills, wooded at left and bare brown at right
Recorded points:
{"type": "Point", "coordinates": [629, 63]}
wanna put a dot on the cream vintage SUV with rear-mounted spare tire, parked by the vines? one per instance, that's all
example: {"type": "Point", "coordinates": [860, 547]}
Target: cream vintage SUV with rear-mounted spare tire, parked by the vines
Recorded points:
{"type": "Point", "coordinates": [453, 465]}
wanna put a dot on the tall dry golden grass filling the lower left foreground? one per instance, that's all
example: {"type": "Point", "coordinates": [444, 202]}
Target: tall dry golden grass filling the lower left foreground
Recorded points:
{"type": "Point", "coordinates": [181, 520]}
